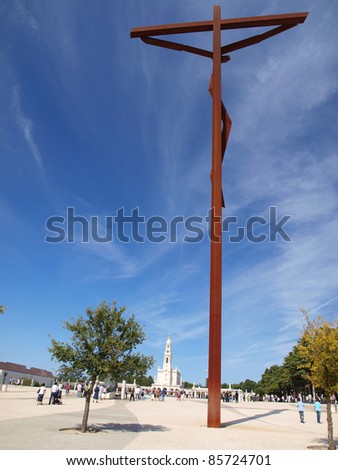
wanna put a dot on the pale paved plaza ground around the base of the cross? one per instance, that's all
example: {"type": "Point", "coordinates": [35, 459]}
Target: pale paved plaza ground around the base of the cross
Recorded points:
{"type": "Point", "coordinates": [153, 425]}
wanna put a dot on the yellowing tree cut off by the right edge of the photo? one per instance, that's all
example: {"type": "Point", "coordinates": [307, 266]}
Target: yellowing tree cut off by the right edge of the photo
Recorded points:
{"type": "Point", "coordinates": [318, 347]}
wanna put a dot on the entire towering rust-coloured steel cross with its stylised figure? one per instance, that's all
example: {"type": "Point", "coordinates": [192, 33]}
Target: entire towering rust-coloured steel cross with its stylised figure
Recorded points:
{"type": "Point", "coordinates": [221, 125]}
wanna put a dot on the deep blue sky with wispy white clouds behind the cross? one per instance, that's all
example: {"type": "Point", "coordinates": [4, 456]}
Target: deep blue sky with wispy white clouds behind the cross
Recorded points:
{"type": "Point", "coordinates": [94, 120]}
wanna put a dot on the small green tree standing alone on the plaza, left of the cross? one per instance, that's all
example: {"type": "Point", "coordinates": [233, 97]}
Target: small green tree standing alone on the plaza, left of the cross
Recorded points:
{"type": "Point", "coordinates": [101, 345]}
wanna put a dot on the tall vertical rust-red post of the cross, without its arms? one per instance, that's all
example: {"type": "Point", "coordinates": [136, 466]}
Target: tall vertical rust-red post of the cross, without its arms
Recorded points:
{"type": "Point", "coordinates": [215, 317]}
